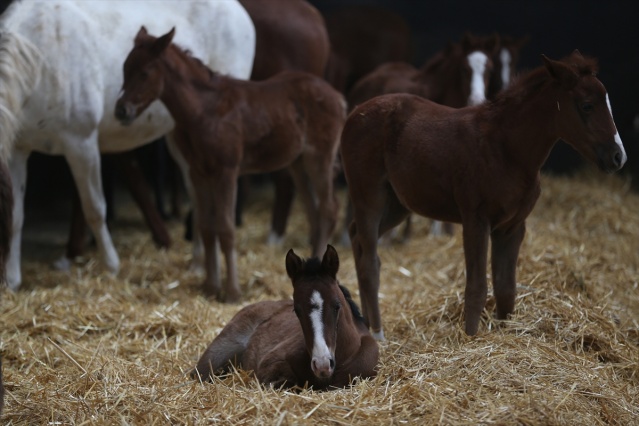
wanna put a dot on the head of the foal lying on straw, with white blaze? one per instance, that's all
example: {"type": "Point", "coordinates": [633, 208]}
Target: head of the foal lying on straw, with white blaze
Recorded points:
{"type": "Point", "coordinates": [318, 303]}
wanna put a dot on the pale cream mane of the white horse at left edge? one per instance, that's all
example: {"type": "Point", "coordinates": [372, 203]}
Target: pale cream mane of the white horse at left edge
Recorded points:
{"type": "Point", "coordinates": [20, 71]}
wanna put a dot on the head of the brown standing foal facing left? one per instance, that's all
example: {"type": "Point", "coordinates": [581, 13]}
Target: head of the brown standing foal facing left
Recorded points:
{"type": "Point", "coordinates": [143, 79]}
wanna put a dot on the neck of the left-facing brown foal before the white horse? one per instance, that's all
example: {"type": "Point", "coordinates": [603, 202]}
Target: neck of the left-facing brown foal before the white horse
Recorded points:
{"type": "Point", "coordinates": [184, 79]}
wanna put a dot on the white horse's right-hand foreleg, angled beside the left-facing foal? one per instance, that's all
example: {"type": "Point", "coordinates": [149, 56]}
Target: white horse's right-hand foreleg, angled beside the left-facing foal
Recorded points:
{"type": "Point", "coordinates": [84, 162]}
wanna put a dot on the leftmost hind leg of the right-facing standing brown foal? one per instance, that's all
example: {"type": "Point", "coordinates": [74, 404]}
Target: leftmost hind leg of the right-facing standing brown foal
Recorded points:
{"type": "Point", "coordinates": [374, 211]}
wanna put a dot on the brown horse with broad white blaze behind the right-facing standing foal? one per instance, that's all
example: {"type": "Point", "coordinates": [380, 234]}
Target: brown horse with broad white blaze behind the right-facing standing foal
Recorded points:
{"type": "Point", "coordinates": [456, 77]}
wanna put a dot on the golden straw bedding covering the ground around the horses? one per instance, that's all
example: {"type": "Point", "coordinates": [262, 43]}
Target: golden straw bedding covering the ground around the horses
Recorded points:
{"type": "Point", "coordinates": [88, 348]}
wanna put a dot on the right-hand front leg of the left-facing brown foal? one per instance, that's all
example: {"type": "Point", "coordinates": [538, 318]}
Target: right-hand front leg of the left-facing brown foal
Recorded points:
{"type": "Point", "coordinates": [224, 194]}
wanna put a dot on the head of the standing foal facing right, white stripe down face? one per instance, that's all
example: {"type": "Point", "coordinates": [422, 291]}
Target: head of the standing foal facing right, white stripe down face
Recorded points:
{"type": "Point", "coordinates": [584, 113]}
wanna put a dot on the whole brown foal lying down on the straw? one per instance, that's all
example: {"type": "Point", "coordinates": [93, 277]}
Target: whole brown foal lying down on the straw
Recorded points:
{"type": "Point", "coordinates": [319, 339]}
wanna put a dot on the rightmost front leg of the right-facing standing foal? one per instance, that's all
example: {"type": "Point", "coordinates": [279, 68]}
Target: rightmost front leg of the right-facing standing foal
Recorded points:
{"type": "Point", "coordinates": [505, 251]}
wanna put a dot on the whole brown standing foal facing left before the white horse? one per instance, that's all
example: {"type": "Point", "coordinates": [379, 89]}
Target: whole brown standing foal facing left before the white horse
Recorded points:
{"type": "Point", "coordinates": [227, 127]}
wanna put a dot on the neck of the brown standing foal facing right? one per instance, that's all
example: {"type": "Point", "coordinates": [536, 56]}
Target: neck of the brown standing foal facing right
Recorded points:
{"type": "Point", "coordinates": [523, 126]}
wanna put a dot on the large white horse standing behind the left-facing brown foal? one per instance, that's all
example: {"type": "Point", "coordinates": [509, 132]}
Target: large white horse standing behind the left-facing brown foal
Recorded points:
{"type": "Point", "coordinates": [60, 75]}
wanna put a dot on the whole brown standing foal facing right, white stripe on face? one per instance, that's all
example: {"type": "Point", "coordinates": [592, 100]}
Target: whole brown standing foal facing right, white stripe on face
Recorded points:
{"type": "Point", "coordinates": [478, 166]}
